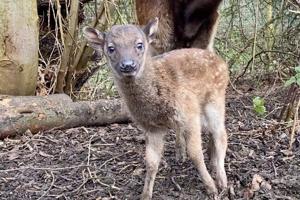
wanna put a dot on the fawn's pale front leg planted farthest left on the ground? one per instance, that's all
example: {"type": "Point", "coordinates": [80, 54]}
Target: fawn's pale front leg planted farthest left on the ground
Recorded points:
{"type": "Point", "coordinates": [154, 149]}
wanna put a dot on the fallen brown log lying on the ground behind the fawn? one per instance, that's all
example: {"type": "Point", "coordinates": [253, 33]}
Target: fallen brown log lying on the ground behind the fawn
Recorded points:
{"type": "Point", "coordinates": [35, 113]}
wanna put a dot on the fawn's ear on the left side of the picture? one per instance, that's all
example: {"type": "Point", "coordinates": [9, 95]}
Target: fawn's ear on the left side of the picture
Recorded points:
{"type": "Point", "coordinates": [94, 37]}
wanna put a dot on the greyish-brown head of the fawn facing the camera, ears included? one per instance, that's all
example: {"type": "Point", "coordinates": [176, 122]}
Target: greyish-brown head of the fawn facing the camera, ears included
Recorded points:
{"type": "Point", "coordinates": [125, 46]}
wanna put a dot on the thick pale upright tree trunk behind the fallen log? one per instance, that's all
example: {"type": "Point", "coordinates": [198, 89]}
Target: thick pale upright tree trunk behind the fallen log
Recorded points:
{"type": "Point", "coordinates": [18, 47]}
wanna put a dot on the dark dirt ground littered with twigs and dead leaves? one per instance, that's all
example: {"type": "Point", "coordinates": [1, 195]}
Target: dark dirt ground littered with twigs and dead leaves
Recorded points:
{"type": "Point", "coordinates": [107, 162]}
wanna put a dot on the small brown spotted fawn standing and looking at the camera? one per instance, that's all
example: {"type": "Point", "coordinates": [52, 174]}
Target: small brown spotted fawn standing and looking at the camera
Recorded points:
{"type": "Point", "coordinates": [181, 90]}
